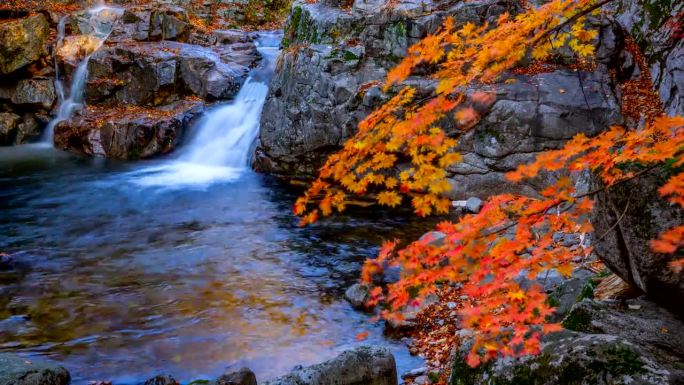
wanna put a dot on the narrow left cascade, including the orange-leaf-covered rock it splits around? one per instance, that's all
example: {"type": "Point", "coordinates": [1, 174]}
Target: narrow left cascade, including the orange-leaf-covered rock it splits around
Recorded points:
{"type": "Point", "coordinates": [99, 22]}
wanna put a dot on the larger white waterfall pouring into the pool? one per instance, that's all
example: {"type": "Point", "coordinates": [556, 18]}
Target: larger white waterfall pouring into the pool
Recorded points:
{"type": "Point", "coordinates": [220, 149]}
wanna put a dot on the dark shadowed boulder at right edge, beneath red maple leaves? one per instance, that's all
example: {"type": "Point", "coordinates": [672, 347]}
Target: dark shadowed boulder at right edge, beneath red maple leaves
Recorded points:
{"type": "Point", "coordinates": [643, 215]}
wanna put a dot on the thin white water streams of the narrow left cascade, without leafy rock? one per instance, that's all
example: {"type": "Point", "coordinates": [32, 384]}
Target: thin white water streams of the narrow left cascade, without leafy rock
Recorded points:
{"type": "Point", "coordinates": [68, 103]}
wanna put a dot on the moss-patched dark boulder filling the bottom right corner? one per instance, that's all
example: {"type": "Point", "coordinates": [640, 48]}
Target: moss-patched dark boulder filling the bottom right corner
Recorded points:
{"type": "Point", "coordinates": [569, 358]}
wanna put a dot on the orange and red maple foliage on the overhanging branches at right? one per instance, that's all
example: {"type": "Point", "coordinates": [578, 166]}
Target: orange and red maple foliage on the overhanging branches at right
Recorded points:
{"type": "Point", "coordinates": [401, 152]}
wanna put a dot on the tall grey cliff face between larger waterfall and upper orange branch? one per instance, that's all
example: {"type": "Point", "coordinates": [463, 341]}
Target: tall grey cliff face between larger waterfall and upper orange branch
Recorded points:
{"type": "Point", "coordinates": [328, 77]}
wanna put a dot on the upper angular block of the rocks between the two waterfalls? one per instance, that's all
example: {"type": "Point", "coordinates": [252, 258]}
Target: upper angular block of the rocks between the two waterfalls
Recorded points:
{"type": "Point", "coordinates": [161, 73]}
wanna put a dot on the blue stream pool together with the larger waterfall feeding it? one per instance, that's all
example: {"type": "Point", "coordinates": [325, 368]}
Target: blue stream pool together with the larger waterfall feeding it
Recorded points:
{"type": "Point", "coordinates": [187, 265]}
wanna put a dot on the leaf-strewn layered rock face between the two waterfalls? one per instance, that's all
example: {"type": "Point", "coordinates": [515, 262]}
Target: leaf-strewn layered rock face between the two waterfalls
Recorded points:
{"type": "Point", "coordinates": [150, 80]}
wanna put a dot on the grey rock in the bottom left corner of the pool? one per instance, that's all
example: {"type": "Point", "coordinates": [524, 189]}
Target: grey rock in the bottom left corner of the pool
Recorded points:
{"type": "Point", "coordinates": [16, 370]}
